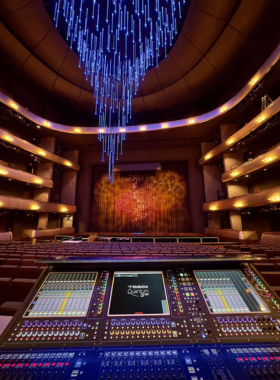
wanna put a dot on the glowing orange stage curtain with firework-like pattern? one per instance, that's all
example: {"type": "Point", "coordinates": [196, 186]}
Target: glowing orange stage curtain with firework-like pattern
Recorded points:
{"type": "Point", "coordinates": [142, 201]}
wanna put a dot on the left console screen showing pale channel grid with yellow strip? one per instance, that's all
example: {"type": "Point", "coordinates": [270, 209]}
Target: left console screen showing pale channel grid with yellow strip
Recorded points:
{"type": "Point", "coordinates": [63, 294]}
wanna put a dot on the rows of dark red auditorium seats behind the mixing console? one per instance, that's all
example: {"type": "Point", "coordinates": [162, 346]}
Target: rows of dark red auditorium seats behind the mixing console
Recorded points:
{"type": "Point", "coordinates": [20, 269]}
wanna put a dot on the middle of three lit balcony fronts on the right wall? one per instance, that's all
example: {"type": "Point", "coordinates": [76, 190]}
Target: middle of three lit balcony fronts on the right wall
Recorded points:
{"type": "Point", "coordinates": [259, 163]}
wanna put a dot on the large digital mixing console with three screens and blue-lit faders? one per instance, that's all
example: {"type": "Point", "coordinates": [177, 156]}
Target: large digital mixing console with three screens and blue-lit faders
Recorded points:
{"type": "Point", "coordinates": [141, 319]}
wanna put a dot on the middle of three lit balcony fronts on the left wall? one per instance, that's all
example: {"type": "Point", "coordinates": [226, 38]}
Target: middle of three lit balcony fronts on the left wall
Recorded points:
{"type": "Point", "coordinates": [22, 176]}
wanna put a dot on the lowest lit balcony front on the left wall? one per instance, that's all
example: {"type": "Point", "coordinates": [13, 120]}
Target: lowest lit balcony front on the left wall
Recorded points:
{"type": "Point", "coordinates": [13, 203]}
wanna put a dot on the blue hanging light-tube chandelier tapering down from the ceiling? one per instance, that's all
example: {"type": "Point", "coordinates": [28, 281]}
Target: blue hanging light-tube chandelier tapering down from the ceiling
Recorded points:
{"type": "Point", "coordinates": [117, 41]}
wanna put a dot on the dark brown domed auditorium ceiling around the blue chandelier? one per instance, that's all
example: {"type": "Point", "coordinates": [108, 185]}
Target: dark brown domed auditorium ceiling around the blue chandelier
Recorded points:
{"type": "Point", "coordinates": [221, 44]}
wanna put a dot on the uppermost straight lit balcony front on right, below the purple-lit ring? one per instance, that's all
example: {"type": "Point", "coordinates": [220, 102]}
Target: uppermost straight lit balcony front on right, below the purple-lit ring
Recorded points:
{"type": "Point", "coordinates": [239, 135]}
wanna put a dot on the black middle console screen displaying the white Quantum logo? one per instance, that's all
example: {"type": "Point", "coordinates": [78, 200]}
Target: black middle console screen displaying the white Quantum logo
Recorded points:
{"type": "Point", "coordinates": [138, 293]}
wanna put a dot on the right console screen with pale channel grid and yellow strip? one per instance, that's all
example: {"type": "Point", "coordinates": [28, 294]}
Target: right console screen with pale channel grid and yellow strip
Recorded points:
{"type": "Point", "coordinates": [228, 291]}
